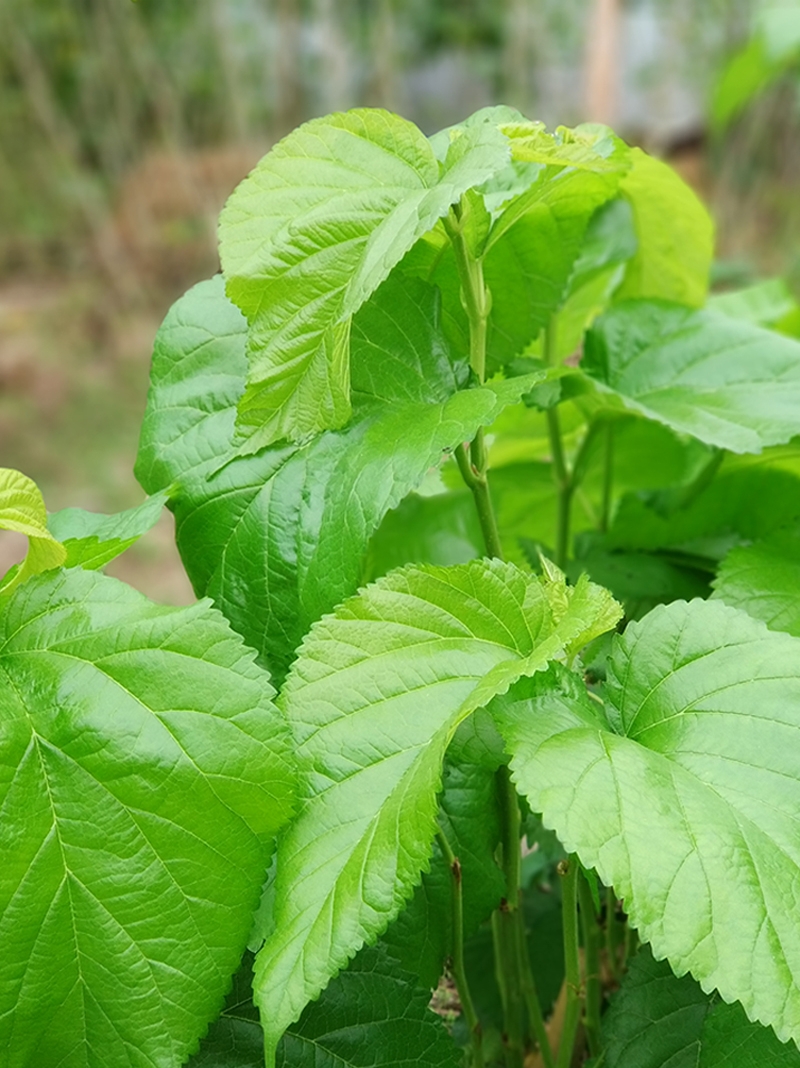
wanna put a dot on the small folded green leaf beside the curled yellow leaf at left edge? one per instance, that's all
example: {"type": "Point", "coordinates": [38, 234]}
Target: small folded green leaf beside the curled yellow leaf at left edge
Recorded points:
{"type": "Point", "coordinates": [92, 540]}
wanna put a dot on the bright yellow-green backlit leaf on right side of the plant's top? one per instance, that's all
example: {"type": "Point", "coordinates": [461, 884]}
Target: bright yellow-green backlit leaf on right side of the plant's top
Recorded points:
{"type": "Point", "coordinates": [676, 235]}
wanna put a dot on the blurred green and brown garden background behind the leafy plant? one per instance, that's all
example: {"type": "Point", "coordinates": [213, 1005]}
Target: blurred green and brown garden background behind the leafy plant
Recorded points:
{"type": "Point", "coordinates": [124, 127]}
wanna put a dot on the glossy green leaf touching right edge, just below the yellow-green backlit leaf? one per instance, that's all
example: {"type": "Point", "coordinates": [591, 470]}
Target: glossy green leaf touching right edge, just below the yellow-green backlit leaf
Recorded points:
{"type": "Point", "coordinates": [725, 382]}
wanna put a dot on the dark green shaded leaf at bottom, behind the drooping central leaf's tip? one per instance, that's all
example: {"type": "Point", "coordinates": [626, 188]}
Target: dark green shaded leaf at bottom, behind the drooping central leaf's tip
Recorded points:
{"type": "Point", "coordinates": [373, 1015]}
